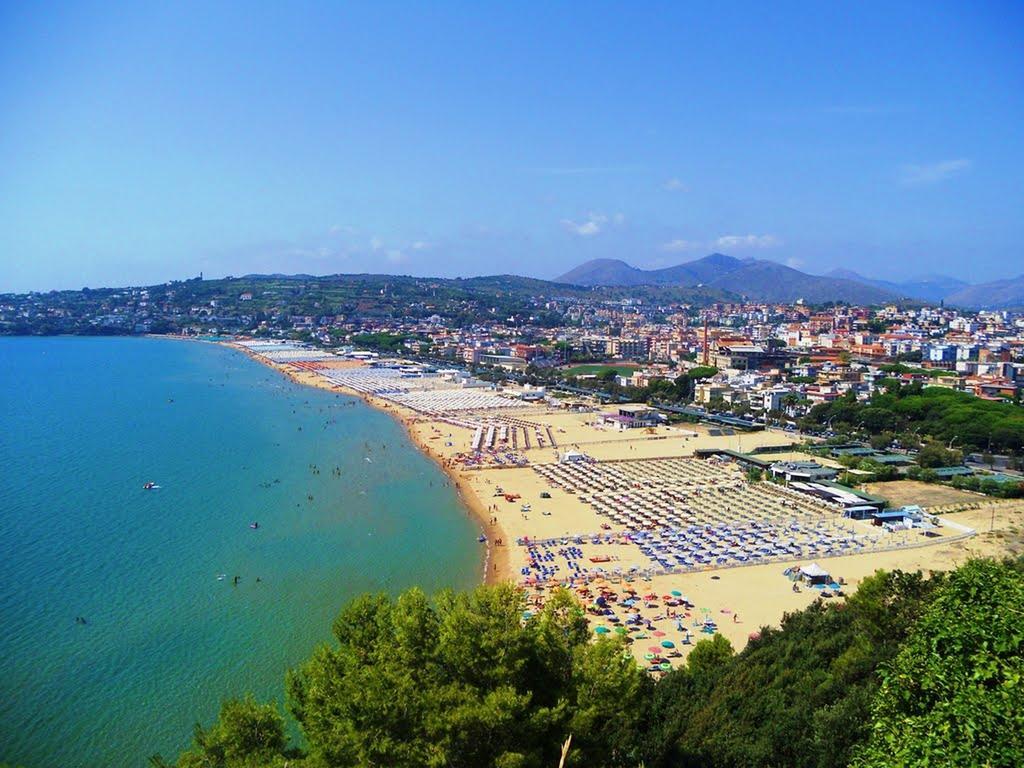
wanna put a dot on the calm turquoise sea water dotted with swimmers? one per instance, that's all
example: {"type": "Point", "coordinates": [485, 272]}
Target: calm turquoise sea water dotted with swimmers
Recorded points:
{"type": "Point", "coordinates": [83, 424]}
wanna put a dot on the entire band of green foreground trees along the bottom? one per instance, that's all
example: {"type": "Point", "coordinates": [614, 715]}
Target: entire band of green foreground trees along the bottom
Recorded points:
{"type": "Point", "coordinates": [910, 671]}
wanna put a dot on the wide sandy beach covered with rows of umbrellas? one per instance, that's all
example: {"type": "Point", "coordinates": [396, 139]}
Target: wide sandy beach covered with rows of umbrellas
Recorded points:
{"type": "Point", "coordinates": [543, 535]}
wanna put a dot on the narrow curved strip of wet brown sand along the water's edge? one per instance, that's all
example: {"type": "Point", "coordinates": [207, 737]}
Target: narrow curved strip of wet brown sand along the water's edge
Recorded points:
{"type": "Point", "coordinates": [497, 562]}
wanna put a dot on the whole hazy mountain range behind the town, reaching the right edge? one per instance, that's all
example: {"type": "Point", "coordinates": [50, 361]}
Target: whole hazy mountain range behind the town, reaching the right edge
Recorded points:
{"type": "Point", "coordinates": [769, 281]}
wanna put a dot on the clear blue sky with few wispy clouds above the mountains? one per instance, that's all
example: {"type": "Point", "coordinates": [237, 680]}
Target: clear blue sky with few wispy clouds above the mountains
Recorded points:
{"type": "Point", "coordinates": [147, 144]}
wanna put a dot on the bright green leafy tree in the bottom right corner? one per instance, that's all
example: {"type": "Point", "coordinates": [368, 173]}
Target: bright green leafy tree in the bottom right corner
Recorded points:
{"type": "Point", "coordinates": [955, 695]}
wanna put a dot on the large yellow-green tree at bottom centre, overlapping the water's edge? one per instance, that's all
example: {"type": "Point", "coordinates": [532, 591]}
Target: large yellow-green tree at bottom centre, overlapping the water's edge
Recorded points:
{"type": "Point", "coordinates": [463, 681]}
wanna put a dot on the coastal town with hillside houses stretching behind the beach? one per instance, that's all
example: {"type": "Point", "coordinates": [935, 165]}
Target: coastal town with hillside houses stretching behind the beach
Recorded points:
{"type": "Point", "coordinates": [773, 362]}
